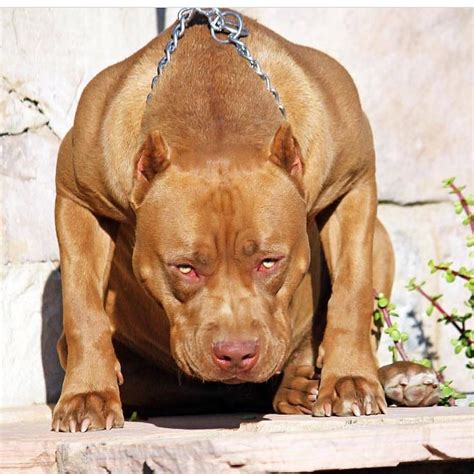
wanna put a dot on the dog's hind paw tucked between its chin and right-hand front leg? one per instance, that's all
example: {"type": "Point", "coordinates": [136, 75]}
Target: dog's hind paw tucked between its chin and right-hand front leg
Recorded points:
{"type": "Point", "coordinates": [297, 391]}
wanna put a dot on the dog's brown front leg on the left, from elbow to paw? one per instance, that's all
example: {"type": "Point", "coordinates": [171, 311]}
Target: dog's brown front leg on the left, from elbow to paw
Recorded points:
{"type": "Point", "coordinates": [90, 396]}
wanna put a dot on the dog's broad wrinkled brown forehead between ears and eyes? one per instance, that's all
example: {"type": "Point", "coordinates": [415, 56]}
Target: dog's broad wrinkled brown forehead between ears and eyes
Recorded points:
{"type": "Point", "coordinates": [254, 208]}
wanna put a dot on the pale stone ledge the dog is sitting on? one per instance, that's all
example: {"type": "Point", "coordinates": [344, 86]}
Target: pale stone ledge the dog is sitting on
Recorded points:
{"type": "Point", "coordinates": [224, 443]}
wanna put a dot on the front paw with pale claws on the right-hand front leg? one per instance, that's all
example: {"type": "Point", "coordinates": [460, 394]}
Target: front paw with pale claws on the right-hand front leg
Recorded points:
{"type": "Point", "coordinates": [347, 396]}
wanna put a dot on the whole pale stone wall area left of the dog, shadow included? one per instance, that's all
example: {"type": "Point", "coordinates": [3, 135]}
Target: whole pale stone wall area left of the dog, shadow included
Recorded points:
{"type": "Point", "coordinates": [48, 56]}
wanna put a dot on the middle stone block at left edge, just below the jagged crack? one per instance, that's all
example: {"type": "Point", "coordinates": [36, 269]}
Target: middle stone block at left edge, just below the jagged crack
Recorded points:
{"type": "Point", "coordinates": [27, 211]}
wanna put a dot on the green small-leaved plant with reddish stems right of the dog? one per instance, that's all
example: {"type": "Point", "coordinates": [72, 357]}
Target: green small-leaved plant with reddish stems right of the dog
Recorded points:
{"type": "Point", "coordinates": [464, 343]}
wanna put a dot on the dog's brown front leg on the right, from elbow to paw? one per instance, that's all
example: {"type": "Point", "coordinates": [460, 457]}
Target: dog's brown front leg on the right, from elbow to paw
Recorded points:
{"type": "Point", "coordinates": [349, 382]}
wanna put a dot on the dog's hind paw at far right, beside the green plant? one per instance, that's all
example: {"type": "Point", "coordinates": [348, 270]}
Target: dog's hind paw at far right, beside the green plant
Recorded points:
{"type": "Point", "coordinates": [409, 384]}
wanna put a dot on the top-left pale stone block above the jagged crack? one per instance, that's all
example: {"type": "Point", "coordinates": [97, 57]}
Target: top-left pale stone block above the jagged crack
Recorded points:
{"type": "Point", "coordinates": [49, 57]}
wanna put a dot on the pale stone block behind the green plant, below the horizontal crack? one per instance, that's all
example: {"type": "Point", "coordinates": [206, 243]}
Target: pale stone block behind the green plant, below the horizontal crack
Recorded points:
{"type": "Point", "coordinates": [418, 234]}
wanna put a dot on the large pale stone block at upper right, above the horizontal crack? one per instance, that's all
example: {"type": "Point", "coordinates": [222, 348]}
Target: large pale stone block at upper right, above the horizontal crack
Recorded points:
{"type": "Point", "coordinates": [413, 69]}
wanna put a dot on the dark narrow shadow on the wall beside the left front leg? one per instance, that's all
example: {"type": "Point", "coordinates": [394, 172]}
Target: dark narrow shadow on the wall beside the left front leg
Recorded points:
{"type": "Point", "coordinates": [51, 329]}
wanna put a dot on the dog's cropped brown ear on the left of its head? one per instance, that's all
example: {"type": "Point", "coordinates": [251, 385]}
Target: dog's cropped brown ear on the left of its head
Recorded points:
{"type": "Point", "coordinates": [152, 158]}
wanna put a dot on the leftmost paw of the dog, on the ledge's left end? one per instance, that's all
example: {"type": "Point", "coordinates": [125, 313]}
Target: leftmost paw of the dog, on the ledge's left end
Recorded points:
{"type": "Point", "coordinates": [96, 410]}
